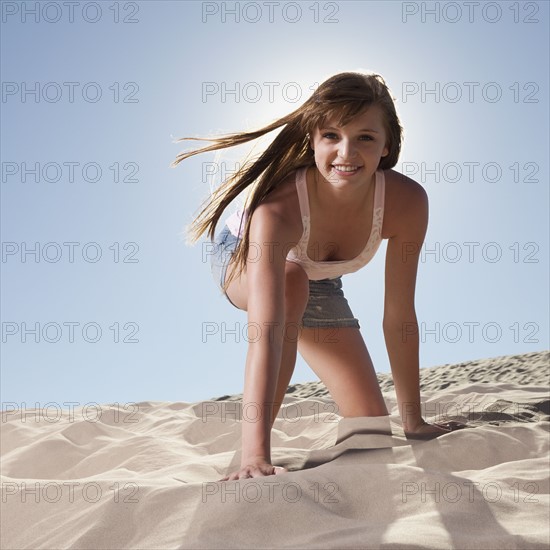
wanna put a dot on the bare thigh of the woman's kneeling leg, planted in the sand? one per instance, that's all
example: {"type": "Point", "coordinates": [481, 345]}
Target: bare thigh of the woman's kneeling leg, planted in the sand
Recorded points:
{"type": "Point", "coordinates": [339, 357]}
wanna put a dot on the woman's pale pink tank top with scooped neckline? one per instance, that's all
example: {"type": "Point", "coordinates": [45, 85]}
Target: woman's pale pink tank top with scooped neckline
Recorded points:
{"type": "Point", "coordinates": [333, 268]}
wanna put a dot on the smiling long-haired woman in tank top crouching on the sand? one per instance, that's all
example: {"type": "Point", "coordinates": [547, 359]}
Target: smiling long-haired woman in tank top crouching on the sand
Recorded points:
{"type": "Point", "coordinates": [324, 195]}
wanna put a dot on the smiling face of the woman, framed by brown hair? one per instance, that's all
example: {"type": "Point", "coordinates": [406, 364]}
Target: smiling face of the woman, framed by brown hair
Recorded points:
{"type": "Point", "coordinates": [350, 153]}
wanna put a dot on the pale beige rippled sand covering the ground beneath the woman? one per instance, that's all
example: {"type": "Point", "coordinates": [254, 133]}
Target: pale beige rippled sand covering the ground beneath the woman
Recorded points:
{"type": "Point", "coordinates": [144, 475]}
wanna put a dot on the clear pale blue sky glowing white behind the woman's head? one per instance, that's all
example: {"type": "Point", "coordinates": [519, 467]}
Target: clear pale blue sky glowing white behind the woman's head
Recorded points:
{"type": "Point", "coordinates": [102, 299]}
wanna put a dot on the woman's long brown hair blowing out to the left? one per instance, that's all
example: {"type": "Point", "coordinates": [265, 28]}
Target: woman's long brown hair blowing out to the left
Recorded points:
{"type": "Point", "coordinates": [342, 96]}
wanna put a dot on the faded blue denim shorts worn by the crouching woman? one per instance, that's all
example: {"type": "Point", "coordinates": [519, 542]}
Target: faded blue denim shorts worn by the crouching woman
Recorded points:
{"type": "Point", "coordinates": [327, 306]}
